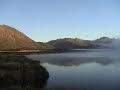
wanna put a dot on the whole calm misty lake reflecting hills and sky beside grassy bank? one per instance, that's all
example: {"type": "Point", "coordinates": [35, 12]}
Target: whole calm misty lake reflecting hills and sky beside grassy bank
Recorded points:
{"type": "Point", "coordinates": [82, 68]}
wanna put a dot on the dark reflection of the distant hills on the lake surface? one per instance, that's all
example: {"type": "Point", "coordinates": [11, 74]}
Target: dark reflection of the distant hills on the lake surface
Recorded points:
{"type": "Point", "coordinates": [76, 61]}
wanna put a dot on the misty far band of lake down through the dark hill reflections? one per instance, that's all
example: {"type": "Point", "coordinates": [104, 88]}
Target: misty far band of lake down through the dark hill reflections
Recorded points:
{"type": "Point", "coordinates": [79, 57]}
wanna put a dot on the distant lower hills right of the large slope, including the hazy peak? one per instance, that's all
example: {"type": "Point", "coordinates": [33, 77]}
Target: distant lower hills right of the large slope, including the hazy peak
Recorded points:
{"type": "Point", "coordinates": [76, 43]}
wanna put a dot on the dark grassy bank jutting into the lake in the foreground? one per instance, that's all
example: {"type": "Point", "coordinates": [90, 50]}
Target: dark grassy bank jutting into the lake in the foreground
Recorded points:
{"type": "Point", "coordinates": [18, 71]}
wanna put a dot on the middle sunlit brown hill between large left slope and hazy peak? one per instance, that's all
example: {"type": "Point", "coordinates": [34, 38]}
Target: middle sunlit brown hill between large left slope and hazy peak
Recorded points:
{"type": "Point", "coordinates": [70, 43]}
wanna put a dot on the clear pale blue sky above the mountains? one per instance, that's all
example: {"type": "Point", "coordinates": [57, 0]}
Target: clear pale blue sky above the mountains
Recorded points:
{"type": "Point", "coordinates": [44, 20]}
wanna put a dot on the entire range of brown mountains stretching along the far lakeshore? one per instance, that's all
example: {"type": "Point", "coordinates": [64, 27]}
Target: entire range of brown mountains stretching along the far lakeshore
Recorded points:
{"type": "Point", "coordinates": [12, 39]}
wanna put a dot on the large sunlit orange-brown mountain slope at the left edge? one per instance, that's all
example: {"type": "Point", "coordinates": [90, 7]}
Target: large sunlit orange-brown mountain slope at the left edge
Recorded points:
{"type": "Point", "coordinates": [12, 39]}
